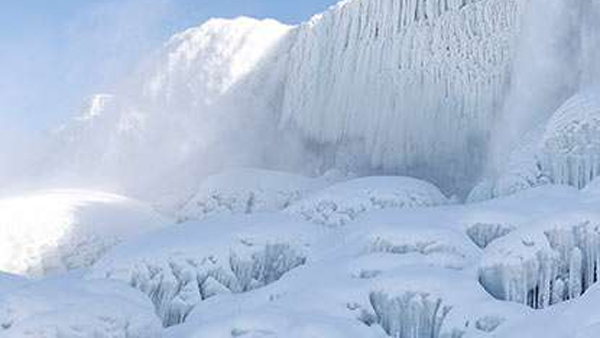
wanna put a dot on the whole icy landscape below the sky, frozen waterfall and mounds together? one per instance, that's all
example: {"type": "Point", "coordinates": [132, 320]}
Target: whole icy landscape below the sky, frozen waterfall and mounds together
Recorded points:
{"type": "Point", "coordinates": [492, 107]}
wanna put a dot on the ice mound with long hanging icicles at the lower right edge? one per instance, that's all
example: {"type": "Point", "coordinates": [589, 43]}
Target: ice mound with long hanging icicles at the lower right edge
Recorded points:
{"type": "Point", "coordinates": [553, 260]}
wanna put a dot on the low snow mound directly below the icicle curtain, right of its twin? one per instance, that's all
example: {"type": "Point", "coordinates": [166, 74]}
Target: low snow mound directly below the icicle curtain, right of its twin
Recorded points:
{"type": "Point", "coordinates": [344, 202]}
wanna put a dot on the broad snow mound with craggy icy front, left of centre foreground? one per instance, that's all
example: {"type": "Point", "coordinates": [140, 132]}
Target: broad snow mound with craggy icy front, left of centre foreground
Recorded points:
{"type": "Point", "coordinates": [182, 266]}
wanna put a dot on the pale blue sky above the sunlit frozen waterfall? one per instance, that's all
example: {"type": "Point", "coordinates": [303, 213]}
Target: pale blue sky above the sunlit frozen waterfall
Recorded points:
{"type": "Point", "coordinates": [53, 53]}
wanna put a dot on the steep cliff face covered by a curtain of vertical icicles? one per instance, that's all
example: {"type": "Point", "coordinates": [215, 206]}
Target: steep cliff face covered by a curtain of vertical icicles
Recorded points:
{"type": "Point", "coordinates": [371, 55]}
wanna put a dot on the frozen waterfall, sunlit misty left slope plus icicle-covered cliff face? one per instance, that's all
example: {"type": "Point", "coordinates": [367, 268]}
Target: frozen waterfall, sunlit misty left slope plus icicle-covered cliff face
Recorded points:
{"type": "Point", "coordinates": [370, 86]}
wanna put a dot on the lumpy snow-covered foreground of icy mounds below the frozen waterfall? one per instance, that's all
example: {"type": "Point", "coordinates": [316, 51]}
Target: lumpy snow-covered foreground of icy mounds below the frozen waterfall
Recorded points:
{"type": "Point", "coordinates": [306, 258]}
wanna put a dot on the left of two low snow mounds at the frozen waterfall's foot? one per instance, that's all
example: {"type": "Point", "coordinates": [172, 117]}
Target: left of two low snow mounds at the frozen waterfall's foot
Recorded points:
{"type": "Point", "coordinates": [246, 191]}
